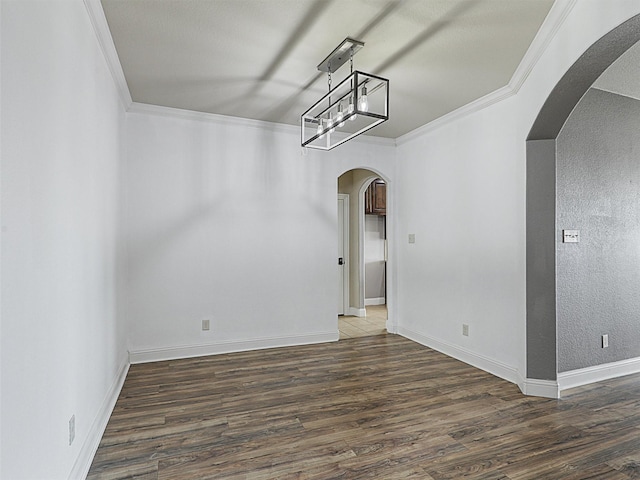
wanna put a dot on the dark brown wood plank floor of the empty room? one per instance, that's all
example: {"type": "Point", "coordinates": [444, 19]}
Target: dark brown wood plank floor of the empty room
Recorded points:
{"type": "Point", "coordinates": [377, 407]}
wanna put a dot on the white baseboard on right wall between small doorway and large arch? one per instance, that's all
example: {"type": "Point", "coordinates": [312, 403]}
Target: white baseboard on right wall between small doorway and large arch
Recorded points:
{"type": "Point", "coordinates": [487, 364]}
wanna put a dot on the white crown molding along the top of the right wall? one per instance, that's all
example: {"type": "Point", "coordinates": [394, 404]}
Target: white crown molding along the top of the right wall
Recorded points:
{"type": "Point", "coordinates": [555, 18]}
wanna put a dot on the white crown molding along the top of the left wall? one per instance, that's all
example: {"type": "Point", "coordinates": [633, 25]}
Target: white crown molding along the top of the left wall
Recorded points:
{"type": "Point", "coordinates": [105, 40]}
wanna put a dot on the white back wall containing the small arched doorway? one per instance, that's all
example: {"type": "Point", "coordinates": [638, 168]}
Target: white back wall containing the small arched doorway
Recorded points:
{"type": "Point", "coordinates": [228, 221]}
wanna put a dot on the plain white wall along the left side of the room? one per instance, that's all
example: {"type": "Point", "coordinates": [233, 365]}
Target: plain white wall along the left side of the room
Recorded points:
{"type": "Point", "coordinates": [63, 348]}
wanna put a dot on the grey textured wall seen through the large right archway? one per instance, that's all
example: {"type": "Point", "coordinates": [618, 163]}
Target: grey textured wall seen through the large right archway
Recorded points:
{"type": "Point", "coordinates": [598, 177]}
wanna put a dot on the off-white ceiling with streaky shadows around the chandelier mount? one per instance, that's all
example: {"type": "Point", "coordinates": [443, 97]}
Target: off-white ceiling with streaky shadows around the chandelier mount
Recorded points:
{"type": "Point", "coordinates": [258, 58]}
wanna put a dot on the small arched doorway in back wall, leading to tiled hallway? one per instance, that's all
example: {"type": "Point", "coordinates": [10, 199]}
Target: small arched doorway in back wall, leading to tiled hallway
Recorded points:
{"type": "Point", "coordinates": [363, 228]}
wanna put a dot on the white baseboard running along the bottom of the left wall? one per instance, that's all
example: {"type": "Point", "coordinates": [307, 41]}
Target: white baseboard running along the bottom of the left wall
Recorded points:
{"type": "Point", "coordinates": [90, 446]}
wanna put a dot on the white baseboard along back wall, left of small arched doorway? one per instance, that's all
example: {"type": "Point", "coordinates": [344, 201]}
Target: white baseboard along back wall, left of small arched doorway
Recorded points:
{"type": "Point", "coordinates": [190, 351]}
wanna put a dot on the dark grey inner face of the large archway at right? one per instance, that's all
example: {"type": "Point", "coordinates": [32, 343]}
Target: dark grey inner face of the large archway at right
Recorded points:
{"type": "Point", "coordinates": [543, 231]}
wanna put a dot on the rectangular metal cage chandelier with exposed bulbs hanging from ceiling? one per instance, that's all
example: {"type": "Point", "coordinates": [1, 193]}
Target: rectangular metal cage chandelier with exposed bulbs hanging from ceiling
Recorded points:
{"type": "Point", "coordinates": [355, 105]}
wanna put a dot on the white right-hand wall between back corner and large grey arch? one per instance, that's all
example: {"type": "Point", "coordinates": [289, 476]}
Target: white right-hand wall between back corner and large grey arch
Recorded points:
{"type": "Point", "coordinates": [461, 190]}
